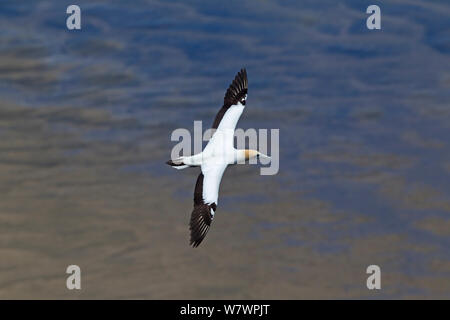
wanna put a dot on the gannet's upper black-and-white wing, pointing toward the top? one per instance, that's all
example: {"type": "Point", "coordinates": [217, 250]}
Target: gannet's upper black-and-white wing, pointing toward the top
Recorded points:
{"type": "Point", "coordinates": [236, 95]}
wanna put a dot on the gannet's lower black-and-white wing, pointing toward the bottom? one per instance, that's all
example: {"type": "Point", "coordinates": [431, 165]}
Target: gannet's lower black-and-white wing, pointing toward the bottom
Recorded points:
{"type": "Point", "coordinates": [205, 201]}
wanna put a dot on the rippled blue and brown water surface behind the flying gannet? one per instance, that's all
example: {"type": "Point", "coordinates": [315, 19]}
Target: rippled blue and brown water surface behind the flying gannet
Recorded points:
{"type": "Point", "coordinates": [85, 124]}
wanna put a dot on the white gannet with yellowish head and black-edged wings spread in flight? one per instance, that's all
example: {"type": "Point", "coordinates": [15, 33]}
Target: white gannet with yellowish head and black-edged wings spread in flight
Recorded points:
{"type": "Point", "coordinates": [216, 156]}
